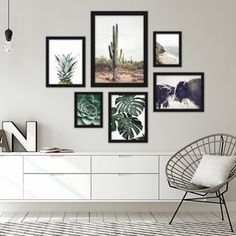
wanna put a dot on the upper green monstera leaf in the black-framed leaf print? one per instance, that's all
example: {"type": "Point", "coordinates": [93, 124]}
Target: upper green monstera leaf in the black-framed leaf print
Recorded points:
{"type": "Point", "coordinates": [131, 104]}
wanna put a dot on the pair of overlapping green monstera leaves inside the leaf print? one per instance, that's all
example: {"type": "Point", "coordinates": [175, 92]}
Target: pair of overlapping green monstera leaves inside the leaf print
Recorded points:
{"type": "Point", "coordinates": [125, 116]}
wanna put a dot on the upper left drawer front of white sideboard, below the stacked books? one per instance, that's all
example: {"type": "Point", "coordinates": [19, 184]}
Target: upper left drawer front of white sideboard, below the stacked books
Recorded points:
{"type": "Point", "coordinates": [57, 164]}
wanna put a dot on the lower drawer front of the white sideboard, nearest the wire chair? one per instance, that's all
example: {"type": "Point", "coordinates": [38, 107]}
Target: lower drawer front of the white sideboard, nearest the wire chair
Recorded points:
{"type": "Point", "coordinates": [125, 186]}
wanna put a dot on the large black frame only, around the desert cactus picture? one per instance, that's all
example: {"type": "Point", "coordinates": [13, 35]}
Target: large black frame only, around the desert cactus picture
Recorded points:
{"type": "Point", "coordinates": [95, 14]}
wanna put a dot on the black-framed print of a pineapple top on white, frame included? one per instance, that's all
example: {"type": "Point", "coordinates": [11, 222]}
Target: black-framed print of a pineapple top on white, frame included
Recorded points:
{"type": "Point", "coordinates": [65, 61]}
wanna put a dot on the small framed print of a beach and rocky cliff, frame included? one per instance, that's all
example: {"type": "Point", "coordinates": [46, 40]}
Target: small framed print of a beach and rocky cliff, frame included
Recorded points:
{"type": "Point", "coordinates": [167, 49]}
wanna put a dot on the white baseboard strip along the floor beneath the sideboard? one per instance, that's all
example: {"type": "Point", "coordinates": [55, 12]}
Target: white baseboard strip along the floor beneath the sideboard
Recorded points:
{"type": "Point", "coordinates": [107, 207]}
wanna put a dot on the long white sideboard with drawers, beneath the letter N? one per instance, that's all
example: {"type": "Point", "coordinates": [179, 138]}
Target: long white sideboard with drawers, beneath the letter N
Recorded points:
{"type": "Point", "coordinates": [85, 177]}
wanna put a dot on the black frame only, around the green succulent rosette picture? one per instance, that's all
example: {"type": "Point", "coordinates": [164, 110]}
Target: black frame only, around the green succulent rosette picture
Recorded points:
{"type": "Point", "coordinates": [100, 94]}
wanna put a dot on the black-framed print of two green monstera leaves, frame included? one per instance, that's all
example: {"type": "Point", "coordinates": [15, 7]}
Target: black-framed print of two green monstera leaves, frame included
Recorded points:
{"type": "Point", "coordinates": [128, 117]}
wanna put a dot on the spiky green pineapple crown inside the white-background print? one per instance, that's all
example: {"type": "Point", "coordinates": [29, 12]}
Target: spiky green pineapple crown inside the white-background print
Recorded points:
{"type": "Point", "coordinates": [66, 68]}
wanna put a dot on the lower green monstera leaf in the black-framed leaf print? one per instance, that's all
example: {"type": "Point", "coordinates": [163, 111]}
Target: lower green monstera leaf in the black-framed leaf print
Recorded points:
{"type": "Point", "coordinates": [129, 126]}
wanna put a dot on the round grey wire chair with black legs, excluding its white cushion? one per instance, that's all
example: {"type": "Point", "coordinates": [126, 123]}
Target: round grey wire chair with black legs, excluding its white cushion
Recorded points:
{"type": "Point", "coordinates": [182, 166]}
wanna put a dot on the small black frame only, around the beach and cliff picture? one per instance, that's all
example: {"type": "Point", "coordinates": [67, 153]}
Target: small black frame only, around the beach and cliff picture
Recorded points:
{"type": "Point", "coordinates": [179, 33]}
